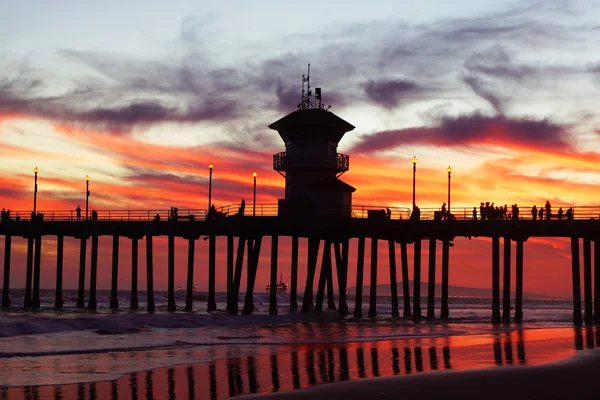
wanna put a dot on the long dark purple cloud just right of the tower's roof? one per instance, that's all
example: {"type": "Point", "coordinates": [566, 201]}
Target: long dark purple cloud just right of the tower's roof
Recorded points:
{"type": "Point", "coordinates": [473, 129]}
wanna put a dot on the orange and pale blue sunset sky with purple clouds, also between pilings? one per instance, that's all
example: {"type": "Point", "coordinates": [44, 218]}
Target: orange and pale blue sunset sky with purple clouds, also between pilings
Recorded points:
{"type": "Point", "coordinates": [143, 96]}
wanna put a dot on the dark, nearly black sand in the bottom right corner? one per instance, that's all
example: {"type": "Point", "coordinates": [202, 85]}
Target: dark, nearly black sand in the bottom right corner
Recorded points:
{"type": "Point", "coordinates": [574, 378]}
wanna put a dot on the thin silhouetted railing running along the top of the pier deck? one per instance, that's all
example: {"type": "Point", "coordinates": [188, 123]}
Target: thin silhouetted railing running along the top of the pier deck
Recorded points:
{"type": "Point", "coordinates": [271, 210]}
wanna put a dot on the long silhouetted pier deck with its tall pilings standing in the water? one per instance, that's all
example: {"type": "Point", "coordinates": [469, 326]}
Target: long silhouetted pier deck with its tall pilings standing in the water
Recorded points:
{"type": "Point", "coordinates": [328, 239]}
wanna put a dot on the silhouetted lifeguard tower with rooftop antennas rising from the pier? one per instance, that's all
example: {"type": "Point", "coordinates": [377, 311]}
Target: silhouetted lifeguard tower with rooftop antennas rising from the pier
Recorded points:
{"type": "Point", "coordinates": [311, 164]}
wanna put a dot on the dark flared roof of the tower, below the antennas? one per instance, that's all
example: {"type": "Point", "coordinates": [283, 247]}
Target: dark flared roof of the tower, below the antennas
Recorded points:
{"type": "Point", "coordinates": [311, 122]}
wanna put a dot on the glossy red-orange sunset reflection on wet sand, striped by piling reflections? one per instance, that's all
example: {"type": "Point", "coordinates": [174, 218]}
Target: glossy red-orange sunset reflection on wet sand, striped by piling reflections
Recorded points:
{"type": "Point", "coordinates": [284, 368]}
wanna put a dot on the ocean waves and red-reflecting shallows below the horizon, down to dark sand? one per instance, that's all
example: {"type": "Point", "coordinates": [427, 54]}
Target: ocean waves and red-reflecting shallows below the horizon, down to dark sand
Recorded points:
{"type": "Point", "coordinates": [131, 354]}
